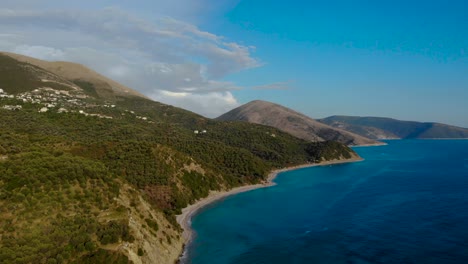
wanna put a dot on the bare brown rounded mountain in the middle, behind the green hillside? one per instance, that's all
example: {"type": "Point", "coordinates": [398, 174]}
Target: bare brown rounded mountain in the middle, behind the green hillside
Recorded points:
{"type": "Point", "coordinates": [290, 121]}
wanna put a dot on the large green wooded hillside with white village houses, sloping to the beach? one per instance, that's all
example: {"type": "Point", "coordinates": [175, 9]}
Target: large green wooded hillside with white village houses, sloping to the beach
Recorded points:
{"type": "Point", "coordinates": [93, 172]}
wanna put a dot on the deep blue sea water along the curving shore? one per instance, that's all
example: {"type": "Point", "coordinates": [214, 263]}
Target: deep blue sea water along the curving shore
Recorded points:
{"type": "Point", "coordinates": [406, 203]}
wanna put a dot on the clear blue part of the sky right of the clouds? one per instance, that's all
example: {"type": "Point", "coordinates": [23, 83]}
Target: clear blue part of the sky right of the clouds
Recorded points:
{"type": "Point", "coordinates": [403, 59]}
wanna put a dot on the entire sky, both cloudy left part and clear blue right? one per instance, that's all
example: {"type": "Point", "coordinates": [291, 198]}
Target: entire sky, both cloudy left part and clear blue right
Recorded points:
{"type": "Point", "coordinates": [401, 59]}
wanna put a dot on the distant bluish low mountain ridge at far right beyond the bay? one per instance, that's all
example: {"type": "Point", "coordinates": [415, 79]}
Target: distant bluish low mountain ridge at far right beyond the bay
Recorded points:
{"type": "Point", "coordinates": [387, 128]}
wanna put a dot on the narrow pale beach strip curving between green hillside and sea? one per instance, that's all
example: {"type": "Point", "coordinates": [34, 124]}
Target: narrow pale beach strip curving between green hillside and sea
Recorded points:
{"type": "Point", "coordinates": [185, 219]}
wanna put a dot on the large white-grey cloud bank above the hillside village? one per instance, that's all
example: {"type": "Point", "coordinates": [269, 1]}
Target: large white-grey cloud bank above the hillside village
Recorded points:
{"type": "Point", "coordinates": [163, 58]}
